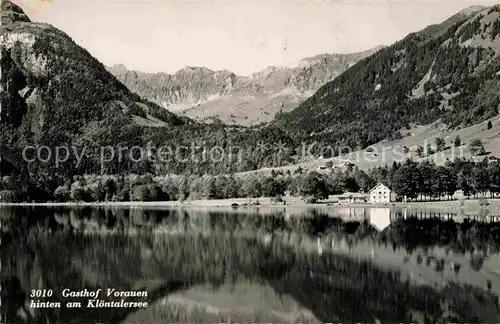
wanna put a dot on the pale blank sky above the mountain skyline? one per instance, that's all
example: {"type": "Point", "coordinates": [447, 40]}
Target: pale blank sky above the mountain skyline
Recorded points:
{"type": "Point", "coordinates": [242, 36]}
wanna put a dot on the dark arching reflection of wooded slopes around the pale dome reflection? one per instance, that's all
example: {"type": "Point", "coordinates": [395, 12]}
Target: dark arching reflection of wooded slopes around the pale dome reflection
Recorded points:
{"type": "Point", "coordinates": [332, 286]}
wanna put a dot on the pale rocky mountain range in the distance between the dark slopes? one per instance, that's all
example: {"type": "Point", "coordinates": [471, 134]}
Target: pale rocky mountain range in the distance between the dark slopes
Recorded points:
{"type": "Point", "coordinates": [205, 94]}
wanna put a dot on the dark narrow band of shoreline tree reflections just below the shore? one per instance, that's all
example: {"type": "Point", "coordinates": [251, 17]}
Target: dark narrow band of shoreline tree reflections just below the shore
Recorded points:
{"type": "Point", "coordinates": [410, 233]}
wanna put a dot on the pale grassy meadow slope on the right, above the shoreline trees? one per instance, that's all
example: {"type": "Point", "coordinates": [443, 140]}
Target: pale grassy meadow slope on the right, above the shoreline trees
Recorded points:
{"type": "Point", "coordinates": [386, 152]}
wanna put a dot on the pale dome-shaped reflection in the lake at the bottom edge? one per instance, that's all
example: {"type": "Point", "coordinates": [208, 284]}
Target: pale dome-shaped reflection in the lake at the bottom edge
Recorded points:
{"type": "Point", "coordinates": [236, 302]}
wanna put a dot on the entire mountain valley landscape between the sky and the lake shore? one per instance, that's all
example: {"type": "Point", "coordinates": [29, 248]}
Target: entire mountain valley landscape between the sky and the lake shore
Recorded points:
{"type": "Point", "coordinates": [363, 111]}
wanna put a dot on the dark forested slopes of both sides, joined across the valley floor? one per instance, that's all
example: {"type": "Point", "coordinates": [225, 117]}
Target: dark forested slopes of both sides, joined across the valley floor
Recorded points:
{"type": "Point", "coordinates": [55, 94]}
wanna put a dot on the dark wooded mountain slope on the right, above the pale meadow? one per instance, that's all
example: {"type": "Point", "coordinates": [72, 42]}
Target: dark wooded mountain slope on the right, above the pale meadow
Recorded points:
{"type": "Point", "coordinates": [447, 71]}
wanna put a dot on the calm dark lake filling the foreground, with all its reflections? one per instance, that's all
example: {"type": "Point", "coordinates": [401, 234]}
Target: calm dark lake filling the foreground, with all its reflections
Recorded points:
{"type": "Point", "coordinates": [248, 265]}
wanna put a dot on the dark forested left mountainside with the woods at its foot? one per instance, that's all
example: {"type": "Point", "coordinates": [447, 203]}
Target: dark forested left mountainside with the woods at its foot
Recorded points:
{"type": "Point", "coordinates": [56, 96]}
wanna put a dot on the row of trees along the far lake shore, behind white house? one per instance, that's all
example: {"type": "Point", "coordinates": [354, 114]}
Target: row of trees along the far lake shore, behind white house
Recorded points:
{"type": "Point", "coordinates": [410, 181]}
